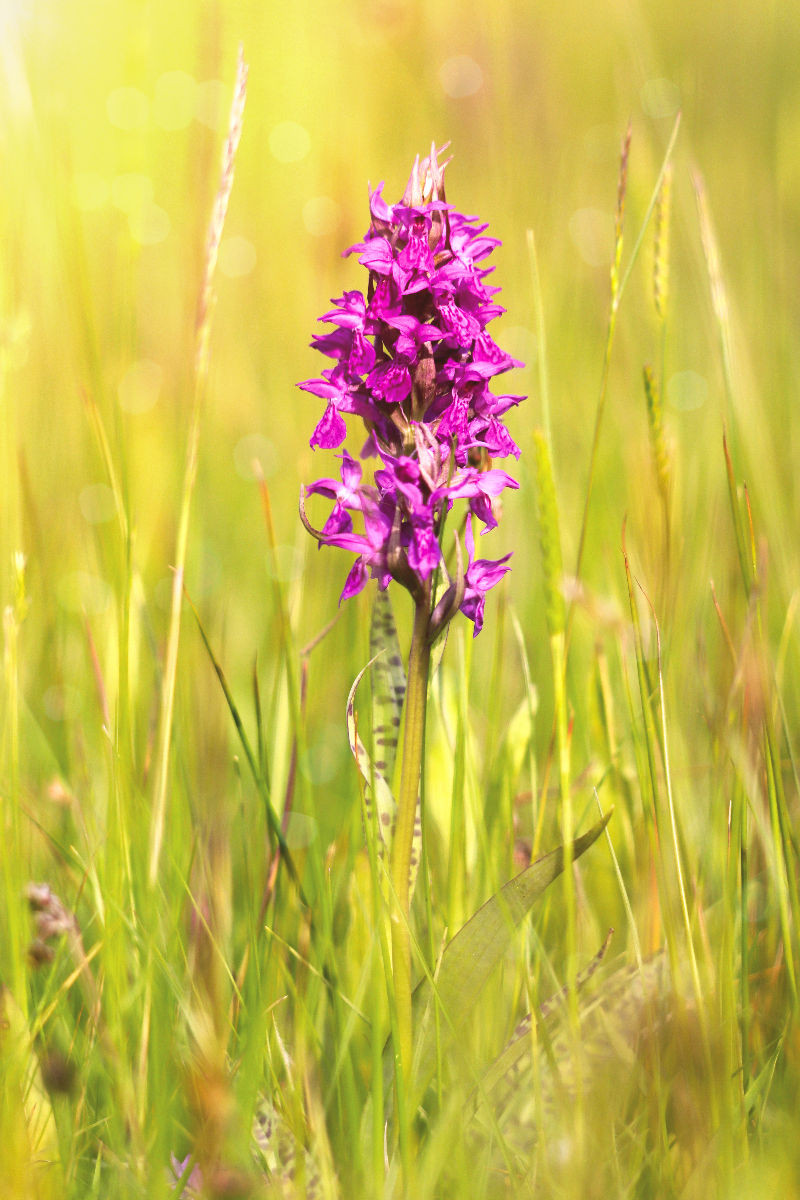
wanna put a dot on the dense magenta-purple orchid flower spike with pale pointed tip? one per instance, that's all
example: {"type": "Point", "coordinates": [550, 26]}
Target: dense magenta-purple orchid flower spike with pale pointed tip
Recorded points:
{"type": "Point", "coordinates": [413, 359]}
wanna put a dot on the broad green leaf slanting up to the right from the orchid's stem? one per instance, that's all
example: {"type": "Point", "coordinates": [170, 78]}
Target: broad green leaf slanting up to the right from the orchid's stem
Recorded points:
{"type": "Point", "coordinates": [471, 958]}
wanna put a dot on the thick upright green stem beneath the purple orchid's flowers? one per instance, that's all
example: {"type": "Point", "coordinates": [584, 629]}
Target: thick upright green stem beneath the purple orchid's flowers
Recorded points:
{"type": "Point", "coordinates": [419, 667]}
